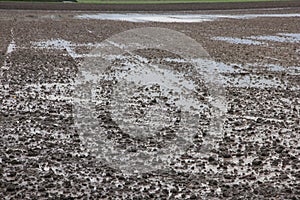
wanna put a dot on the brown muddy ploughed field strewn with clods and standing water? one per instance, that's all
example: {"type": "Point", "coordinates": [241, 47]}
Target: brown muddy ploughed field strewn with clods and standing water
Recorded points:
{"type": "Point", "coordinates": [46, 149]}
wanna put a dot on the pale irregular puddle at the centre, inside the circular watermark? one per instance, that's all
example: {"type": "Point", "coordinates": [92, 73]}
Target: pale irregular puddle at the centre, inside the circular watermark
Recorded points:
{"type": "Point", "coordinates": [169, 80]}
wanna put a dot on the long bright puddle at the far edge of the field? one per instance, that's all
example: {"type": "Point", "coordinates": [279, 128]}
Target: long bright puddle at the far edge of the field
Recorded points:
{"type": "Point", "coordinates": [179, 18]}
